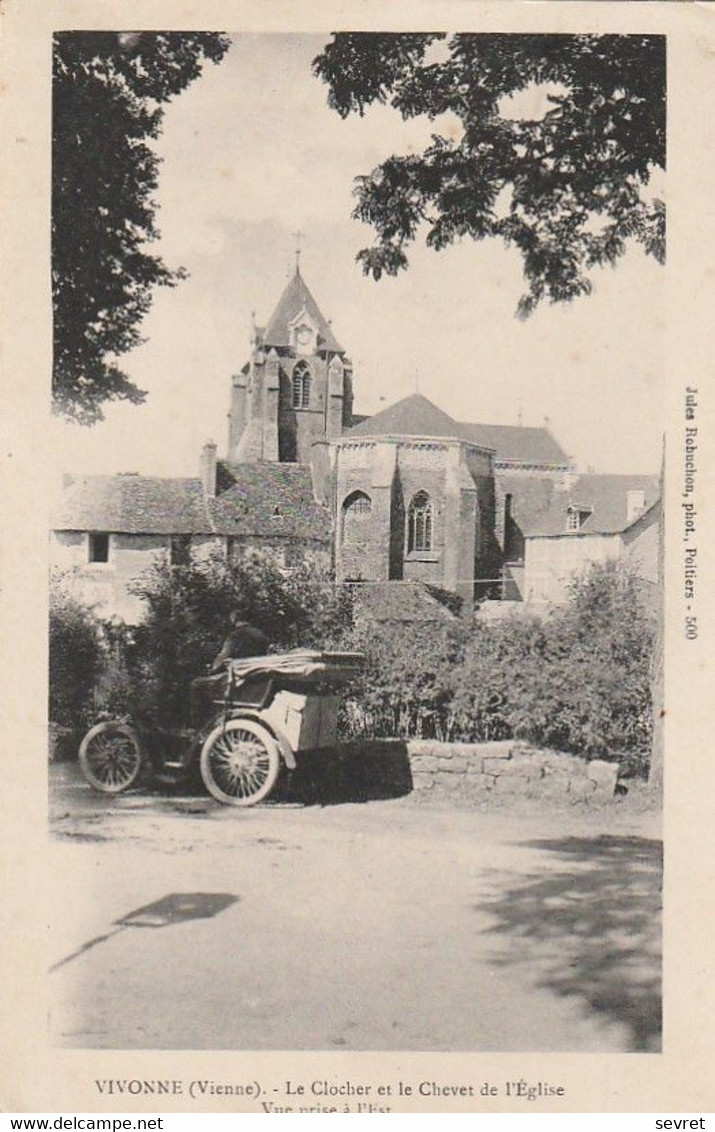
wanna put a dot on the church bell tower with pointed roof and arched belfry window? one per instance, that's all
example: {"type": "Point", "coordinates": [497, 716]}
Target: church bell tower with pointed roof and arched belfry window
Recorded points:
{"type": "Point", "coordinates": [306, 398]}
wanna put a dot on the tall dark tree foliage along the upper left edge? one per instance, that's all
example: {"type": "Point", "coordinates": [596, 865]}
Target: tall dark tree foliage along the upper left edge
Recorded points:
{"type": "Point", "coordinates": [108, 96]}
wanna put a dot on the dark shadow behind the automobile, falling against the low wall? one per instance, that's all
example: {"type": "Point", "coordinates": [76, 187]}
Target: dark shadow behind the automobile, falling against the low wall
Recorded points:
{"type": "Point", "coordinates": [355, 773]}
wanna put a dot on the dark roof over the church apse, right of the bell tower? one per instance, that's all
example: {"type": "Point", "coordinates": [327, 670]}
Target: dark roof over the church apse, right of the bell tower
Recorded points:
{"type": "Point", "coordinates": [417, 416]}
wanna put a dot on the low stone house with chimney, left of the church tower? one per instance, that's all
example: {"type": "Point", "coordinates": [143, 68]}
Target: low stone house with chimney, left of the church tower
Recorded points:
{"type": "Point", "coordinates": [110, 529]}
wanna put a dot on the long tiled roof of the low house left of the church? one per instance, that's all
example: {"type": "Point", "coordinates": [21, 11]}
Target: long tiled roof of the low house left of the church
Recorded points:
{"type": "Point", "coordinates": [270, 501]}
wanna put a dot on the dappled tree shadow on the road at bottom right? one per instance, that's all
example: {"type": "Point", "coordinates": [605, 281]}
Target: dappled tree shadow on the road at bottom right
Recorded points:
{"type": "Point", "coordinates": [589, 925]}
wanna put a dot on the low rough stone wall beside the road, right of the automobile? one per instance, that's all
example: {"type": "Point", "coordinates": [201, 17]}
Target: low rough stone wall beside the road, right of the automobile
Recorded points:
{"type": "Point", "coordinates": [509, 768]}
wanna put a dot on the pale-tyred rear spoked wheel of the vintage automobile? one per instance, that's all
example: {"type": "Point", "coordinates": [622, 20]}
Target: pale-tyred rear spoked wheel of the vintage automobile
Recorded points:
{"type": "Point", "coordinates": [240, 762]}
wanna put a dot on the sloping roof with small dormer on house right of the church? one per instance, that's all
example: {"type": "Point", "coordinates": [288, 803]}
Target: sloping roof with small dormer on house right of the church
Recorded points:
{"type": "Point", "coordinates": [605, 496]}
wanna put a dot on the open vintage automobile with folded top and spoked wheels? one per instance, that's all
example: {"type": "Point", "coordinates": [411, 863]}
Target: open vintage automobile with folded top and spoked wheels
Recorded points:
{"type": "Point", "coordinates": [246, 724]}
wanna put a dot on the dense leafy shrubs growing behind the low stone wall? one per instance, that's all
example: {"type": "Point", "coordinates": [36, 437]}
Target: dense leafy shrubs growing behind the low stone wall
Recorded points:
{"type": "Point", "coordinates": [578, 680]}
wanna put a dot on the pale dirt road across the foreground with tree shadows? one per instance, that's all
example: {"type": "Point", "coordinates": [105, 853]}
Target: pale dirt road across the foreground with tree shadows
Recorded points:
{"type": "Point", "coordinates": [387, 925]}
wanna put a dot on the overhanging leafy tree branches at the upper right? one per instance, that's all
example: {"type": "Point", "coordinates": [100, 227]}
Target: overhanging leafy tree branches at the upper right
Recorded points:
{"type": "Point", "coordinates": [567, 190]}
